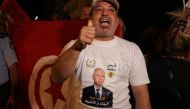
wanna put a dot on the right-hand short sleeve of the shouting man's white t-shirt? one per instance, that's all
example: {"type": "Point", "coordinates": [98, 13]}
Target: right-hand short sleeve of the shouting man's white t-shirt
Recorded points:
{"type": "Point", "coordinates": [138, 74]}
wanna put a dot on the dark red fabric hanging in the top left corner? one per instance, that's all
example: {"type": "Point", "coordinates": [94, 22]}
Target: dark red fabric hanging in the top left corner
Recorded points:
{"type": "Point", "coordinates": [14, 10]}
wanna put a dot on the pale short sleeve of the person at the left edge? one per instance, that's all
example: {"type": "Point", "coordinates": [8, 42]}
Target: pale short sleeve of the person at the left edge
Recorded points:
{"type": "Point", "coordinates": [9, 52]}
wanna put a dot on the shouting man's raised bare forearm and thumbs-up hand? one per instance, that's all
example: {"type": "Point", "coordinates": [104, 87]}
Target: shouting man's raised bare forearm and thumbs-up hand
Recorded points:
{"type": "Point", "coordinates": [64, 66]}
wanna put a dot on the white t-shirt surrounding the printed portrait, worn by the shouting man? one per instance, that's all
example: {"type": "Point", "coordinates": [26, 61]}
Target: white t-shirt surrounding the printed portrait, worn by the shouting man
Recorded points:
{"type": "Point", "coordinates": [123, 63]}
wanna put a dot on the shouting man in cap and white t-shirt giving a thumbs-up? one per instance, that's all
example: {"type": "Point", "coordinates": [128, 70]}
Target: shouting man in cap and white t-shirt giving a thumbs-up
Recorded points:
{"type": "Point", "coordinates": [97, 46]}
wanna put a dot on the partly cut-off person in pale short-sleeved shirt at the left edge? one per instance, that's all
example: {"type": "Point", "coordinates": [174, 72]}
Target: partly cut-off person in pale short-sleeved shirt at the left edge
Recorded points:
{"type": "Point", "coordinates": [8, 67]}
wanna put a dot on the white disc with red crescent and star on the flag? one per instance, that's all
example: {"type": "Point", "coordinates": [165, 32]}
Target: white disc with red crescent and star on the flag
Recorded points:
{"type": "Point", "coordinates": [44, 94]}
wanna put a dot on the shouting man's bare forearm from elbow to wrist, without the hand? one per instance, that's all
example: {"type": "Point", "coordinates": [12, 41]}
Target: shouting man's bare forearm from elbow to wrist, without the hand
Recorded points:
{"type": "Point", "coordinates": [64, 66]}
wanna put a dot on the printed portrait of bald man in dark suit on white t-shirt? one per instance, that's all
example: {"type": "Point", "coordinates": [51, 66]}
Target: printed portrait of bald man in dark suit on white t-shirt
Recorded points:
{"type": "Point", "coordinates": [96, 95]}
